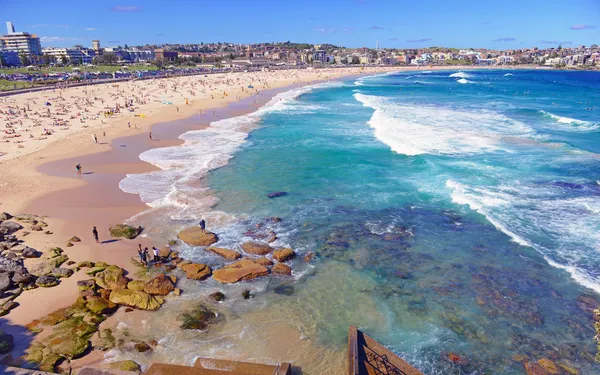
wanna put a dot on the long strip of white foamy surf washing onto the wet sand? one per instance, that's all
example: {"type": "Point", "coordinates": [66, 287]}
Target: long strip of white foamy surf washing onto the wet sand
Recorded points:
{"type": "Point", "coordinates": [177, 185]}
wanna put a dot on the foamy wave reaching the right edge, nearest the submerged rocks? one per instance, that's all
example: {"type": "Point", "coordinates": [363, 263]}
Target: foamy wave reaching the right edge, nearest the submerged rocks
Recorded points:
{"type": "Point", "coordinates": [522, 212]}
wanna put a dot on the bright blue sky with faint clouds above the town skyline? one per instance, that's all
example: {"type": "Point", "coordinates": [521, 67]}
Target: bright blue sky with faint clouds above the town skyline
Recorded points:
{"type": "Point", "coordinates": [500, 24]}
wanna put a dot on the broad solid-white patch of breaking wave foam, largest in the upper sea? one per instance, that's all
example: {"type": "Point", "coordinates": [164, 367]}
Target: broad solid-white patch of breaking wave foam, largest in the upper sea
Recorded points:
{"type": "Point", "coordinates": [420, 129]}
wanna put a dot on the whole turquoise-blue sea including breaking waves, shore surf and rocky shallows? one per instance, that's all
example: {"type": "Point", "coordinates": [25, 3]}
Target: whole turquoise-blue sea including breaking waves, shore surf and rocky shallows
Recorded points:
{"type": "Point", "coordinates": [450, 212]}
